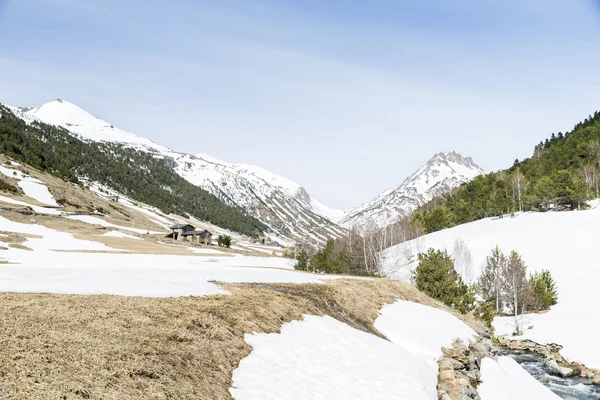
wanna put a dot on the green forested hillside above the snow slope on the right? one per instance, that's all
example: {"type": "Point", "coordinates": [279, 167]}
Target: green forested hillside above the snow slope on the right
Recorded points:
{"type": "Point", "coordinates": [563, 172]}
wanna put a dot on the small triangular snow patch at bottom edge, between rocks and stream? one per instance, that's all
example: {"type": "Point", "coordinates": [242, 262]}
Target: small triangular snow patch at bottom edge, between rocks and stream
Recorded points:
{"type": "Point", "coordinates": [505, 379]}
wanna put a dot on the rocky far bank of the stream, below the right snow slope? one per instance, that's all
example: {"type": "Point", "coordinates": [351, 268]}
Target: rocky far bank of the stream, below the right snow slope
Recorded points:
{"type": "Point", "coordinates": [551, 353]}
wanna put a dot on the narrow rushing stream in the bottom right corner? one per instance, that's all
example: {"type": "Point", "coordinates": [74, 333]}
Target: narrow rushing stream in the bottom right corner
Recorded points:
{"type": "Point", "coordinates": [573, 388]}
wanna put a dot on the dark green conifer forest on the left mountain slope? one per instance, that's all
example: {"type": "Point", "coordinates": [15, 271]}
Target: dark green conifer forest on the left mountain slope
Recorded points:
{"type": "Point", "coordinates": [133, 173]}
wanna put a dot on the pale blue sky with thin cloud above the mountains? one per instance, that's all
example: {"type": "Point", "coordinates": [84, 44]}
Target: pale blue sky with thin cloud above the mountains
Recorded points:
{"type": "Point", "coordinates": [345, 97]}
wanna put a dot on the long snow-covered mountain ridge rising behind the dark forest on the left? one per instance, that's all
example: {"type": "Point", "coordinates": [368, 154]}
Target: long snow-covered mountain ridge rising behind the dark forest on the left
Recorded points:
{"type": "Point", "coordinates": [283, 205]}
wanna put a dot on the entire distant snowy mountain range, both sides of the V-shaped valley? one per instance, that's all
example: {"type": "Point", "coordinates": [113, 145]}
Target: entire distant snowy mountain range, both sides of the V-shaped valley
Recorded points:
{"type": "Point", "coordinates": [281, 204]}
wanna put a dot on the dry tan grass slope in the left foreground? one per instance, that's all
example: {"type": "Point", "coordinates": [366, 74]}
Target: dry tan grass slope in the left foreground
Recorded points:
{"type": "Point", "coordinates": [111, 347]}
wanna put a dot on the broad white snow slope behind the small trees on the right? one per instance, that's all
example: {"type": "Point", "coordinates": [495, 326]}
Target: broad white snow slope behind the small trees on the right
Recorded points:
{"type": "Point", "coordinates": [564, 243]}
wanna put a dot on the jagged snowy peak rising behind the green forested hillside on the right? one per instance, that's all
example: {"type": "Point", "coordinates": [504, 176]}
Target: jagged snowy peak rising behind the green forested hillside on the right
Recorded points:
{"type": "Point", "coordinates": [439, 175]}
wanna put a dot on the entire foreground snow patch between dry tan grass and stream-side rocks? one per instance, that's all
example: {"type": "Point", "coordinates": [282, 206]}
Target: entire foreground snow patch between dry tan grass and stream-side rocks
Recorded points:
{"type": "Point", "coordinates": [322, 358]}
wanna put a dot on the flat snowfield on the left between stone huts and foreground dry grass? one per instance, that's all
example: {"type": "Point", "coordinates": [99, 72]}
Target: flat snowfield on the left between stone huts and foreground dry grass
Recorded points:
{"type": "Point", "coordinates": [46, 270]}
